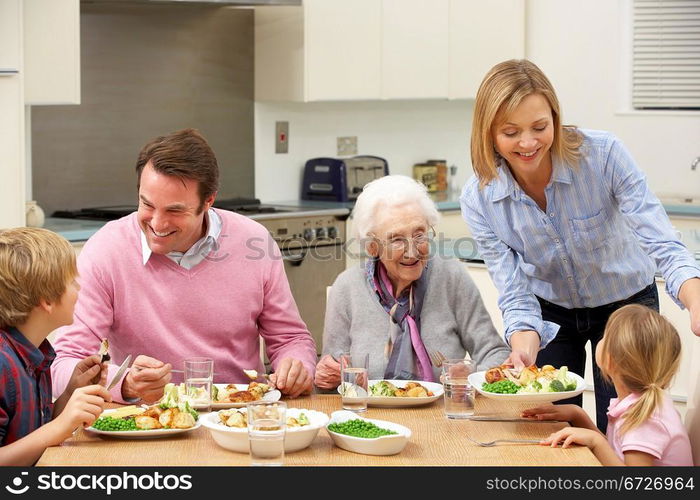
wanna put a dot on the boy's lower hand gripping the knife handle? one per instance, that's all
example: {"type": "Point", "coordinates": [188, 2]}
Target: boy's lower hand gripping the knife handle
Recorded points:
{"type": "Point", "coordinates": [82, 409]}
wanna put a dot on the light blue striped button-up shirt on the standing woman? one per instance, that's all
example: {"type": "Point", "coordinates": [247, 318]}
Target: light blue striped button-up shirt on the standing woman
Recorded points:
{"type": "Point", "coordinates": [601, 240]}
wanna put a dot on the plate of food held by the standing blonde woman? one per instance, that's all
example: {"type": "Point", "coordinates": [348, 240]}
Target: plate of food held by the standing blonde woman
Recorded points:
{"type": "Point", "coordinates": [531, 384]}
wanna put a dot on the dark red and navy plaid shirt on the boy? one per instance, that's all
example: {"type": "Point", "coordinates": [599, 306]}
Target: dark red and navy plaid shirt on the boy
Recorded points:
{"type": "Point", "coordinates": [25, 385]}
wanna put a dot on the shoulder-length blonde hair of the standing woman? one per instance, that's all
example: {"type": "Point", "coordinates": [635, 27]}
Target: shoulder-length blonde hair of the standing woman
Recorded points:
{"type": "Point", "coordinates": [504, 87]}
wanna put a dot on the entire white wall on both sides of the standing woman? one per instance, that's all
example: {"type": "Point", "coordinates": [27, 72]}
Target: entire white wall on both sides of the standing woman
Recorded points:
{"type": "Point", "coordinates": [579, 45]}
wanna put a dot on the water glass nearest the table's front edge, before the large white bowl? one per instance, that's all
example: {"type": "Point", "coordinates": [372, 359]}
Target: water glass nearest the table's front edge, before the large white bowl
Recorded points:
{"type": "Point", "coordinates": [267, 424]}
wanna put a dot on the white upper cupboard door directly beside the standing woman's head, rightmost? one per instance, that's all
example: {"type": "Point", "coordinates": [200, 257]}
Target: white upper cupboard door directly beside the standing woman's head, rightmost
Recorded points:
{"type": "Point", "coordinates": [482, 34]}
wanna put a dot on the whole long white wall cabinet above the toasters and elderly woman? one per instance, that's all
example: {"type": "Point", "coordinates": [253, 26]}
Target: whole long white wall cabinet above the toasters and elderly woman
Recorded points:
{"type": "Point", "coordinates": [382, 49]}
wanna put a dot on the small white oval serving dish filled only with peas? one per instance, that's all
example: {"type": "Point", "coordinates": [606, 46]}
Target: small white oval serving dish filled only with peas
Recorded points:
{"type": "Point", "coordinates": [384, 445]}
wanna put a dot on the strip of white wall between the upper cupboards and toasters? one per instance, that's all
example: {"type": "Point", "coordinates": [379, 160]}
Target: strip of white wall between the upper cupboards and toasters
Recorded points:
{"type": "Point", "coordinates": [403, 132]}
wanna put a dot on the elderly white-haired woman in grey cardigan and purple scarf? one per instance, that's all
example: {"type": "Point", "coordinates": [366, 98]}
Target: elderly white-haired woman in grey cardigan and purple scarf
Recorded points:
{"type": "Point", "coordinates": [402, 303]}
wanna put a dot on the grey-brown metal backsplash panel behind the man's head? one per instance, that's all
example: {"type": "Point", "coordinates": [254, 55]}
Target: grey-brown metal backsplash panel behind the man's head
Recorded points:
{"type": "Point", "coordinates": [147, 70]}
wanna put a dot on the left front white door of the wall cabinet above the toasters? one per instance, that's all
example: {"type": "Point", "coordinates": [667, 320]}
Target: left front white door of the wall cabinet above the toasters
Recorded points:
{"type": "Point", "coordinates": [342, 49]}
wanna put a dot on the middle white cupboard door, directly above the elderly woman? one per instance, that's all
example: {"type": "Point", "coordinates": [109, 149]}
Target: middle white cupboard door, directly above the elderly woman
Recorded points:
{"type": "Point", "coordinates": [414, 49]}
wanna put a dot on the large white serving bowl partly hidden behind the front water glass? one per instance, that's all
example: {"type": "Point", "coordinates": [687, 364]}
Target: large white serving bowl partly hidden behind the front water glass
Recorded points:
{"type": "Point", "coordinates": [236, 438]}
